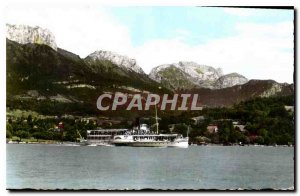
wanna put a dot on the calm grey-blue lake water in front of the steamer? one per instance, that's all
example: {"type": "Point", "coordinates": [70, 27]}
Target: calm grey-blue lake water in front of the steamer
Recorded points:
{"type": "Point", "coordinates": [198, 167]}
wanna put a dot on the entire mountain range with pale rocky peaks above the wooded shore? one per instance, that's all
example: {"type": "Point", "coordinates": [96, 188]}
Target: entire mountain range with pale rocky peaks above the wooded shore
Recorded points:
{"type": "Point", "coordinates": [40, 75]}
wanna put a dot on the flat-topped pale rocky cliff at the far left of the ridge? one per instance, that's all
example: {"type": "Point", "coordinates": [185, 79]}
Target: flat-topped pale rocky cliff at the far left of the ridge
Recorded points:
{"type": "Point", "coordinates": [24, 34]}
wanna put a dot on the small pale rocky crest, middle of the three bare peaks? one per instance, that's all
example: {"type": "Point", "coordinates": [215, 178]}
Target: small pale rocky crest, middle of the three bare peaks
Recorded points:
{"type": "Point", "coordinates": [119, 60]}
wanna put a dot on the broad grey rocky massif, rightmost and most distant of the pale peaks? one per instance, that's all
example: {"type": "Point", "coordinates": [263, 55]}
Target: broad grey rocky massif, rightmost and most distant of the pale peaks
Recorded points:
{"type": "Point", "coordinates": [188, 75]}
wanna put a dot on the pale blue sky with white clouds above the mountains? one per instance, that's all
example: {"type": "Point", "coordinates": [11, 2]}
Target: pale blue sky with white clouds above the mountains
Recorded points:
{"type": "Point", "coordinates": [257, 43]}
